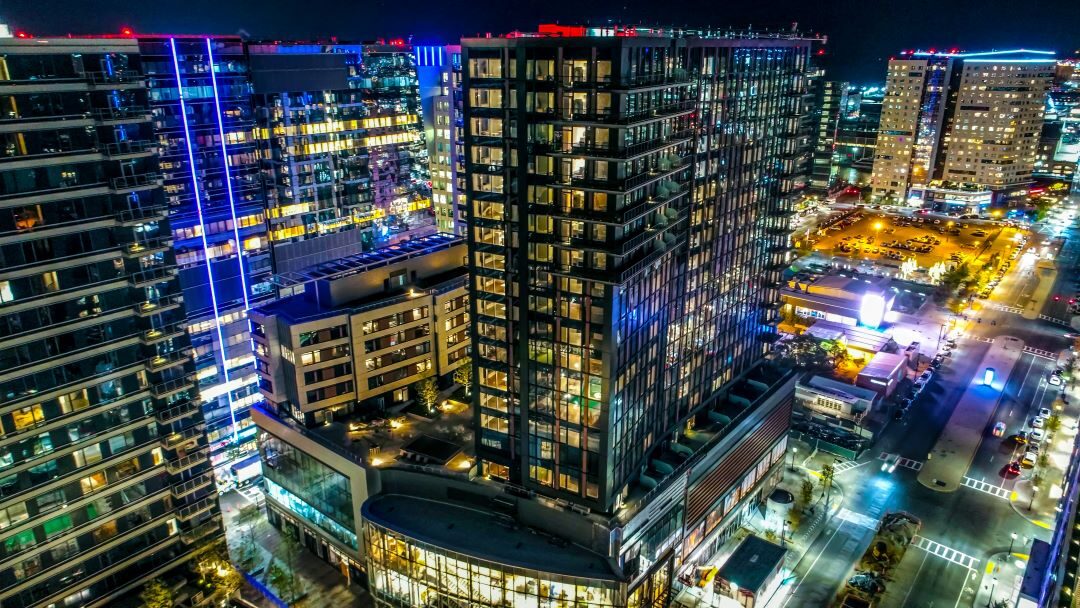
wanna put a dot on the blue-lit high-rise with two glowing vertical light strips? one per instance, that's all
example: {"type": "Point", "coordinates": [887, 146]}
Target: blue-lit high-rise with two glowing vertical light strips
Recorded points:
{"type": "Point", "coordinates": [214, 192]}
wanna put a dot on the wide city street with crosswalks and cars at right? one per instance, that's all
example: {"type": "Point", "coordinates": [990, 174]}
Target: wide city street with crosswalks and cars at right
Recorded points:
{"type": "Point", "coordinates": [963, 528]}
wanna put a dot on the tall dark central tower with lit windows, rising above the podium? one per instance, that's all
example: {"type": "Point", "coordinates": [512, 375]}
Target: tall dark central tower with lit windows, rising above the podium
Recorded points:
{"type": "Point", "coordinates": [629, 205]}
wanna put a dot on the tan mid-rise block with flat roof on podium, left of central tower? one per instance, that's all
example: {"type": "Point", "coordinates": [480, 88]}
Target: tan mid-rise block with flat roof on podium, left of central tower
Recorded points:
{"type": "Point", "coordinates": [366, 330]}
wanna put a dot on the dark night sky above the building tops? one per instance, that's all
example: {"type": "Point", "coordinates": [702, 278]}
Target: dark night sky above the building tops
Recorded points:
{"type": "Point", "coordinates": [862, 34]}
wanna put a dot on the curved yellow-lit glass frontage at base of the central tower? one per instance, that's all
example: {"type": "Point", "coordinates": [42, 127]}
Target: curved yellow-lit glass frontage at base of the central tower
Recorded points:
{"type": "Point", "coordinates": [404, 572]}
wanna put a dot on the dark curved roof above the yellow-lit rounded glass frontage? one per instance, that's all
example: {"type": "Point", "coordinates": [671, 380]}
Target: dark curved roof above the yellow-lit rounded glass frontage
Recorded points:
{"type": "Point", "coordinates": [483, 535]}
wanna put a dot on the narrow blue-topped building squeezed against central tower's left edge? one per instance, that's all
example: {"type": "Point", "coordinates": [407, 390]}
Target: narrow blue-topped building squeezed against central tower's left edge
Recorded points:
{"type": "Point", "coordinates": [439, 70]}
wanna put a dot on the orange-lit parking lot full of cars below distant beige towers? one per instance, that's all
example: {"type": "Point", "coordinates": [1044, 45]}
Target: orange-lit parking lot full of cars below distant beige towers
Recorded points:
{"type": "Point", "coordinates": [893, 239]}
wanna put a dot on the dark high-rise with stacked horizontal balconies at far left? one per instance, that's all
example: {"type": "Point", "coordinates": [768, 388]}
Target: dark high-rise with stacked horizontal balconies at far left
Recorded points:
{"type": "Point", "coordinates": [105, 478]}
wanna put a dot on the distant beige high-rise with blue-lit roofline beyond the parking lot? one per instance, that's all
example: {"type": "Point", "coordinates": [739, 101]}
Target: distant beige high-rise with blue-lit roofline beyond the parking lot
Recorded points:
{"type": "Point", "coordinates": [961, 129]}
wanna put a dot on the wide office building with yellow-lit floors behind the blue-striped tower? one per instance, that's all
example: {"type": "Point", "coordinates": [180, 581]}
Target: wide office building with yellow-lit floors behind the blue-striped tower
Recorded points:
{"type": "Point", "coordinates": [343, 150]}
